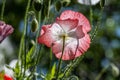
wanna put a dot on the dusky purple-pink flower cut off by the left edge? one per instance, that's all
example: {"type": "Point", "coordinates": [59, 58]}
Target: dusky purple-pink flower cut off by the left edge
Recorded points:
{"type": "Point", "coordinates": [5, 30]}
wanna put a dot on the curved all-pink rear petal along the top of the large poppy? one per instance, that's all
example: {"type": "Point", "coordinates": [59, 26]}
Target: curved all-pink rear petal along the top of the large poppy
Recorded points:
{"type": "Point", "coordinates": [82, 20]}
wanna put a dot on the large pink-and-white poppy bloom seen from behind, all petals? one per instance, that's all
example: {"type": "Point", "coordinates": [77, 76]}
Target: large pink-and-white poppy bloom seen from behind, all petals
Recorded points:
{"type": "Point", "coordinates": [74, 26]}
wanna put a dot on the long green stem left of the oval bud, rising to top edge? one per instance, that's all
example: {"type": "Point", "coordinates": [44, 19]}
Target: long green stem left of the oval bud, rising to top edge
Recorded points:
{"type": "Point", "coordinates": [22, 50]}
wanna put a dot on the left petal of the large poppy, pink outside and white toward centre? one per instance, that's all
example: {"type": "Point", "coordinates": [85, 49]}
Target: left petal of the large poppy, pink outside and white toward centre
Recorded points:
{"type": "Point", "coordinates": [49, 34]}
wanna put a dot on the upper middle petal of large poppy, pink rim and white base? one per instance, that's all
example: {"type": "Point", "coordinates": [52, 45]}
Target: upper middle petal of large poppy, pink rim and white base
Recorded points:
{"type": "Point", "coordinates": [67, 24]}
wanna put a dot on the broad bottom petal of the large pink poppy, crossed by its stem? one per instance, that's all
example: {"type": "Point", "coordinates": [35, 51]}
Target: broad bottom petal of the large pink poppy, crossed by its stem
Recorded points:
{"type": "Point", "coordinates": [73, 48]}
